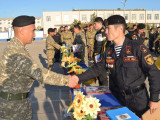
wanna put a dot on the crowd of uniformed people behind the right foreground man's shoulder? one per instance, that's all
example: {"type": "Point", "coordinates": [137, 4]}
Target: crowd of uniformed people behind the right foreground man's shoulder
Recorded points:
{"type": "Point", "coordinates": [150, 38]}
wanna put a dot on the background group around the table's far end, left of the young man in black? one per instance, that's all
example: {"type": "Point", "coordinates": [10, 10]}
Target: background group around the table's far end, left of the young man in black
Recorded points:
{"type": "Point", "coordinates": [77, 35]}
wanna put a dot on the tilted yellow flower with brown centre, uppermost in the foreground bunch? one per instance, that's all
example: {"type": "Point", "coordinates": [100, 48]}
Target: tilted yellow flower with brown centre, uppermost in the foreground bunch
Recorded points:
{"type": "Point", "coordinates": [78, 100]}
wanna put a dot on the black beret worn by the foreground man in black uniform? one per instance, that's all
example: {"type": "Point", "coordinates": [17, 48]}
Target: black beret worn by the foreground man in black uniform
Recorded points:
{"type": "Point", "coordinates": [115, 19]}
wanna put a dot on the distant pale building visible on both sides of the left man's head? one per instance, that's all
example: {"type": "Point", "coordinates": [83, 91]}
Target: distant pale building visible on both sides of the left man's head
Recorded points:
{"type": "Point", "coordinates": [6, 23]}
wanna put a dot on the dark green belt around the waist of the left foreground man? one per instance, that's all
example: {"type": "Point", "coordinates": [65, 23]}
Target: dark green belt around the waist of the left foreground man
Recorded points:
{"type": "Point", "coordinates": [12, 97]}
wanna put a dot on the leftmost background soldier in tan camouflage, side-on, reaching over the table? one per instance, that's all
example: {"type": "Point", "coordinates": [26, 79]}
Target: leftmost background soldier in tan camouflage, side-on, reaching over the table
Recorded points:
{"type": "Point", "coordinates": [51, 46]}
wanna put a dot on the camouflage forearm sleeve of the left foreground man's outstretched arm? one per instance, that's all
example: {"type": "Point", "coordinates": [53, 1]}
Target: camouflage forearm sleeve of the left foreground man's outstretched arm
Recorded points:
{"type": "Point", "coordinates": [53, 78]}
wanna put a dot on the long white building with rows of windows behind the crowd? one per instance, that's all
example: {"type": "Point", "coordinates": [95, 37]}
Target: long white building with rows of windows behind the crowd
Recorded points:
{"type": "Point", "coordinates": [56, 19]}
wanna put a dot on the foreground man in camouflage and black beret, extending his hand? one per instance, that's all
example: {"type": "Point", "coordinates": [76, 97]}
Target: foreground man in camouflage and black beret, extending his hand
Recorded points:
{"type": "Point", "coordinates": [18, 72]}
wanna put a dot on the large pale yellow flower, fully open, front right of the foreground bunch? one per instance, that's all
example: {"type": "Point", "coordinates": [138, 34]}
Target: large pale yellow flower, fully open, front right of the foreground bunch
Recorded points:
{"type": "Point", "coordinates": [91, 106]}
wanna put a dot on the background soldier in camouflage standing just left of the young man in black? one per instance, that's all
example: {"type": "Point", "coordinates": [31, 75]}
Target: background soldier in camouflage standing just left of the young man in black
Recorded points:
{"type": "Point", "coordinates": [90, 35]}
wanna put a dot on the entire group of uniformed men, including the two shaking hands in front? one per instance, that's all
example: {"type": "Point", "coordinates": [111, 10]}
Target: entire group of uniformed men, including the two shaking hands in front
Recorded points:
{"type": "Point", "coordinates": [123, 56]}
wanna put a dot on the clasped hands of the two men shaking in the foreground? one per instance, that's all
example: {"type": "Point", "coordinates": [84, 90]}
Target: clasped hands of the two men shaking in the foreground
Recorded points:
{"type": "Point", "coordinates": [73, 81]}
